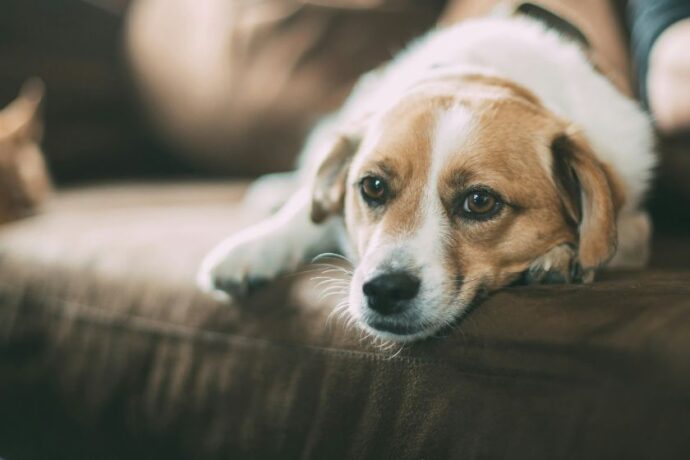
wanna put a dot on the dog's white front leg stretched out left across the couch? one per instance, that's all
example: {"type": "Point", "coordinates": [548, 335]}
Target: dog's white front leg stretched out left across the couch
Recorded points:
{"type": "Point", "coordinates": [259, 253]}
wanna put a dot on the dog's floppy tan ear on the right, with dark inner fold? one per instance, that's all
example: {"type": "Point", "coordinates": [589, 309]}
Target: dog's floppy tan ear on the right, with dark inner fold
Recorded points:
{"type": "Point", "coordinates": [590, 198]}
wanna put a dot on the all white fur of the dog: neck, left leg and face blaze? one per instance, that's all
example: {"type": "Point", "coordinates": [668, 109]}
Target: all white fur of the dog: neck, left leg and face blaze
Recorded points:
{"type": "Point", "coordinates": [519, 50]}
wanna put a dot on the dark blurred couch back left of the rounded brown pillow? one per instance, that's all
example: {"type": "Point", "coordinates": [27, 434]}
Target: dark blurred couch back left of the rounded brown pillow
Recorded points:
{"type": "Point", "coordinates": [93, 127]}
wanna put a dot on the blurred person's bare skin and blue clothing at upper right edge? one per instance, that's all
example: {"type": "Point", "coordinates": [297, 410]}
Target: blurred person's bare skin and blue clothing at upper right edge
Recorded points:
{"type": "Point", "coordinates": [661, 47]}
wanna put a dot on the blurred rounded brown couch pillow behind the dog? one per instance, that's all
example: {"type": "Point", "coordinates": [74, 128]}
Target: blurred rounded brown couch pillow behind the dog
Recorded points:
{"type": "Point", "coordinates": [236, 84]}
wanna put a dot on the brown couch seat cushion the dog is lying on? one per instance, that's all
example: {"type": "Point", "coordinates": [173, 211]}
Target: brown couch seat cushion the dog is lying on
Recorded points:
{"type": "Point", "coordinates": [101, 324]}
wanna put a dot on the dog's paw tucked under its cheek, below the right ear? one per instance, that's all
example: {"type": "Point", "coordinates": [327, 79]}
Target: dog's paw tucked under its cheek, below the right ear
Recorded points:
{"type": "Point", "coordinates": [559, 265]}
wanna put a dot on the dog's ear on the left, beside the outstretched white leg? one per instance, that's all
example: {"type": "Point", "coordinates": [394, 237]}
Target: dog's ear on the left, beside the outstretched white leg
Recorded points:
{"type": "Point", "coordinates": [328, 192]}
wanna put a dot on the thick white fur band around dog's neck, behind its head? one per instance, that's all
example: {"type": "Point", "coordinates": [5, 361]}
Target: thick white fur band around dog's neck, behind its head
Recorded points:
{"type": "Point", "coordinates": [555, 70]}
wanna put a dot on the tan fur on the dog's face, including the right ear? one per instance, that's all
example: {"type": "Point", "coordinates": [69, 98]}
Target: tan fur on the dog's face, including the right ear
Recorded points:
{"type": "Point", "coordinates": [509, 150]}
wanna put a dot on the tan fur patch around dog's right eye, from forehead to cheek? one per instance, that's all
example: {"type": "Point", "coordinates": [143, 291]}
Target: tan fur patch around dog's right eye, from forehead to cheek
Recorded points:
{"type": "Point", "coordinates": [506, 152]}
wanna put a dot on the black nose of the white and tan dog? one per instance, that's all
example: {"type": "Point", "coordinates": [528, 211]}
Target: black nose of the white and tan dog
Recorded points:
{"type": "Point", "coordinates": [388, 293]}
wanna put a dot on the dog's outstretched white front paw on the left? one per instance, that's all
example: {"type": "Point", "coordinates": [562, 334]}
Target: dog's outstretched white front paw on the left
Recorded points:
{"type": "Point", "coordinates": [238, 266]}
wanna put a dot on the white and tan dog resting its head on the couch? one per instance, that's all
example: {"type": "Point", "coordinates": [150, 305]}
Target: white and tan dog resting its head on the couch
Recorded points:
{"type": "Point", "coordinates": [487, 152]}
